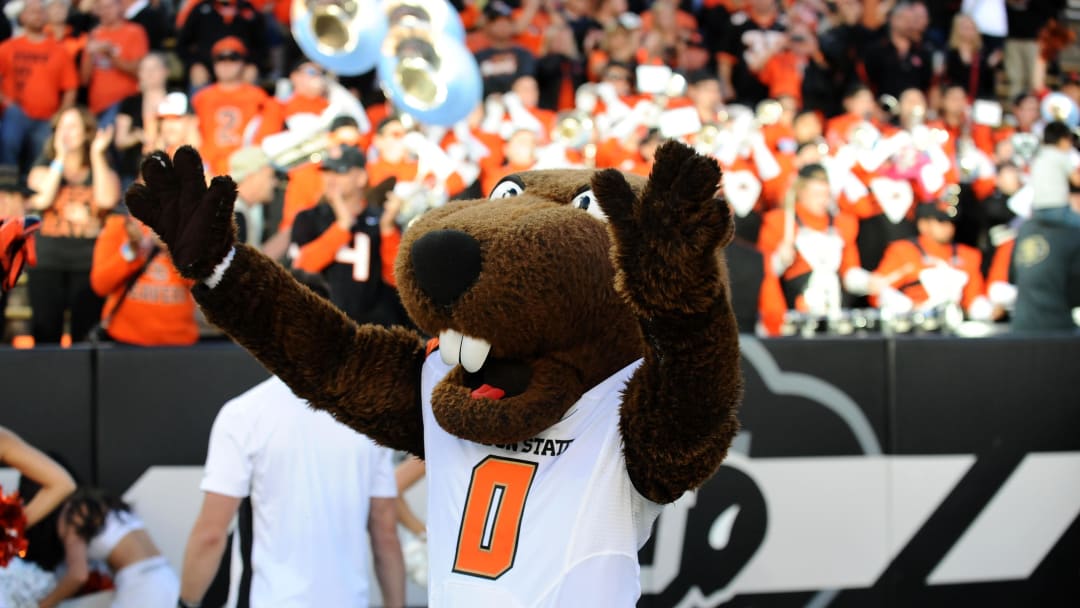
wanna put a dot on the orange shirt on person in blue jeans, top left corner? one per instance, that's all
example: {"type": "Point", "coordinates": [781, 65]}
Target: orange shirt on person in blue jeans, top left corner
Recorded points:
{"type": "Point", "coordinates": [36, 75]}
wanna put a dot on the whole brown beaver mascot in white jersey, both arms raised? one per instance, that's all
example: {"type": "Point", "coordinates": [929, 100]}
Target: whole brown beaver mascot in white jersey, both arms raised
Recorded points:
{"type": "Point", "coordinates": [587, 370]}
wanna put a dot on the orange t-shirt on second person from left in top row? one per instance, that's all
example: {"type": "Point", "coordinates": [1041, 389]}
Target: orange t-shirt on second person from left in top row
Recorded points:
{"type": "Point", "coordinates": [110, 85]}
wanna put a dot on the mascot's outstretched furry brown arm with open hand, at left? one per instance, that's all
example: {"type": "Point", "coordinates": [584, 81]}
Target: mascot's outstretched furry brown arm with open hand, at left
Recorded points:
{"type": "Point", "coordinates": [367, 377]}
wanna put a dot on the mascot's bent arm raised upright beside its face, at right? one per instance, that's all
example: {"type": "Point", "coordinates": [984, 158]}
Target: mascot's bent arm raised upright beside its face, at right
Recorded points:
{"type": "Point", "coordinates": [679, 411]}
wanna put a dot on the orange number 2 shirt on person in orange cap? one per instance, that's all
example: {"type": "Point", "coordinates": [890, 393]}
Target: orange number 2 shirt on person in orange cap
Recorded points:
{"type": "Point", "coordinates": [225, 114]}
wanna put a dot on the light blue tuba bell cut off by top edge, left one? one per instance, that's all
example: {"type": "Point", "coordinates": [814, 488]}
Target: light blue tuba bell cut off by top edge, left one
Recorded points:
{"type": "Point", "coordinates": [343, 36]}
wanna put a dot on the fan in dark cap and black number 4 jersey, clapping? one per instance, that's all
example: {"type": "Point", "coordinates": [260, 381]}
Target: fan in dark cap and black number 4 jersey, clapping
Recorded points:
{"type": "Point", "coordinates": [352, 239]}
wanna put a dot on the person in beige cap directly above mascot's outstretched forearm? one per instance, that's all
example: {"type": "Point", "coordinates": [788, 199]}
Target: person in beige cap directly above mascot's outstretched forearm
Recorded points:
{"type": "Point", "coordinates": [256, 181]}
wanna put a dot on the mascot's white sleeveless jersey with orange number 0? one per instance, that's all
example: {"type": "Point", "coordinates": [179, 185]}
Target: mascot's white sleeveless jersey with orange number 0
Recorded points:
{"type": "Point", "coordinates": [552, 521]}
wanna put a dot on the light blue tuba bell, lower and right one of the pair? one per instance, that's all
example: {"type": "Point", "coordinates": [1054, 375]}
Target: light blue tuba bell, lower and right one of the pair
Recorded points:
{"type": "Point", "coordinates": [425, 67]}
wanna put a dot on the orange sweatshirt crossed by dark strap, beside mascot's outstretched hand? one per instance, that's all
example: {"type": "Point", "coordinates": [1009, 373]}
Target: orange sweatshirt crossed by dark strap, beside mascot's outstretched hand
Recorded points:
{"type": "Point", "coordinates": [147, 302]}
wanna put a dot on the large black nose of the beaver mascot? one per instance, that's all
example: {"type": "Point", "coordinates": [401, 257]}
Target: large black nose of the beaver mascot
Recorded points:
{"type": "Point", "coordinates": [447, 263]}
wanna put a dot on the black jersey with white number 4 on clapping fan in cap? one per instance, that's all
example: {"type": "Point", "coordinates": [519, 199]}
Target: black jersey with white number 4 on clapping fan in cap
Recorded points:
{"type": "Point", "coordinates": [357, 286]}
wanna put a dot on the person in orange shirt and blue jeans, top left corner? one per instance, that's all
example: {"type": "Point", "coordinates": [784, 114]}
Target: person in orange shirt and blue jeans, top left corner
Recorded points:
{"type": "Point", "coordinates": [37, 79]}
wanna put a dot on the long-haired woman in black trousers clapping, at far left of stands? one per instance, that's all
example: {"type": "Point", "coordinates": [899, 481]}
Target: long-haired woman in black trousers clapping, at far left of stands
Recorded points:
{"type": "Point", "coordinates": [76, 187]}
